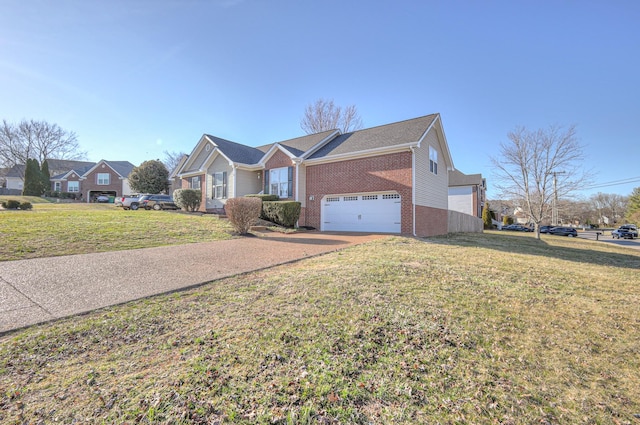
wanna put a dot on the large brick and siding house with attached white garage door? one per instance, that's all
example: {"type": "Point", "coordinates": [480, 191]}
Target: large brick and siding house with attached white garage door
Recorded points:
{"type": "Point", "coordinates": [391, 178]}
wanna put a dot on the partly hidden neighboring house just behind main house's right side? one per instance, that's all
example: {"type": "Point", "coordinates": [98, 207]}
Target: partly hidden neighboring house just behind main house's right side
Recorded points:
{"type": "Point", "coordinates": [467, 193]}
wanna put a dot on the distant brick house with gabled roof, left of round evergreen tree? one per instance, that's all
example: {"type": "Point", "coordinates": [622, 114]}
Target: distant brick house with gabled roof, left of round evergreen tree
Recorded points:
{"type": "Point", "coordinates": [90, 180]}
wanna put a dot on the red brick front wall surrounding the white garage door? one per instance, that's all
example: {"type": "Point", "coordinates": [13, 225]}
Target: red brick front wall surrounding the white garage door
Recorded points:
{"type": "Point", "coordinates": [375, 174]}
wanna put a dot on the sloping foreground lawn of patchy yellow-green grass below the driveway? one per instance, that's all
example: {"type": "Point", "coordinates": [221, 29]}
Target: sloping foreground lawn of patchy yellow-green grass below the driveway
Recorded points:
{"type": "Point", "coordinates": [482, 329]}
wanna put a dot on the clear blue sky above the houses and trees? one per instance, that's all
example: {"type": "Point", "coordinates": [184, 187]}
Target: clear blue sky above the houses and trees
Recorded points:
{"type": "Point", "coordinates": [136, 78]}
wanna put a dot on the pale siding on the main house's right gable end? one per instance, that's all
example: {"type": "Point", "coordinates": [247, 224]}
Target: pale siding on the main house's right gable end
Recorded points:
{"type": "Point", "coordinates": [431, 189]}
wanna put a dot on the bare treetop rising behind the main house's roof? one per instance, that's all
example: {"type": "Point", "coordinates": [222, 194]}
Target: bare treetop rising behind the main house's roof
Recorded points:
{"type": "Point", "coordinates": [325, 115]}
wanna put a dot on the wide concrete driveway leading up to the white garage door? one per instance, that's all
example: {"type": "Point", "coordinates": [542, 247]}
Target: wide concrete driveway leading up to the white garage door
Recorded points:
{"type": "Point", "coordinates": [44, 289]}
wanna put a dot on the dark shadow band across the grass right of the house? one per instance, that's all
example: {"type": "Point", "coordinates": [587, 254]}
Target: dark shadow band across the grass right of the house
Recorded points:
{"type": "Point", "coordinates": [529, 245]}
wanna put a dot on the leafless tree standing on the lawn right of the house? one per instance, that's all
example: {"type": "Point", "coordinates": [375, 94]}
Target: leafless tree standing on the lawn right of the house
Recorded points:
{"type": "Point", "coordinates": [536, 168]}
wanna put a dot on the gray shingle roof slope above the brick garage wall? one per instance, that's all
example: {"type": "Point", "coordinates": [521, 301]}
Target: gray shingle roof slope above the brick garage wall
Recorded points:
{"type": "Point", "coordinates": [377, 137]}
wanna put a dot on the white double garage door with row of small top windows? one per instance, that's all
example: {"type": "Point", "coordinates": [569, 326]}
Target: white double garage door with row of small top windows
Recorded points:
{"type": "Point", "coordinates": [364, 212]}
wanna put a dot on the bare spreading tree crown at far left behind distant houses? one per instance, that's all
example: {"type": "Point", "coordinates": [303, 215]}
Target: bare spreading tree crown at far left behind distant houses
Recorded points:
{"type": "Point", "coordinates": [36, 140]}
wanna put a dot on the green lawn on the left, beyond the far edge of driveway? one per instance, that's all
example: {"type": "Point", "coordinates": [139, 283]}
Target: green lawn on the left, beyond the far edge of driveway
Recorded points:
{"type": "Point", "coordinates": [52, 229]}
